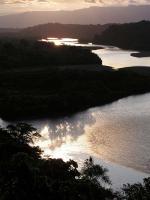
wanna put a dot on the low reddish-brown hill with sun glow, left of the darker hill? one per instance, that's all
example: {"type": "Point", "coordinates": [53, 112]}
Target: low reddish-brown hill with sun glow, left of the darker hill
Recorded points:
{"type": "Point", "coordinates": [82, 32]}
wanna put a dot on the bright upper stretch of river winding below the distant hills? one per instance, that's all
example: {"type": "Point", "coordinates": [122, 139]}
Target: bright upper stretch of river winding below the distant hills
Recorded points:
{"type": "Point", "coordinates": [111, 56]}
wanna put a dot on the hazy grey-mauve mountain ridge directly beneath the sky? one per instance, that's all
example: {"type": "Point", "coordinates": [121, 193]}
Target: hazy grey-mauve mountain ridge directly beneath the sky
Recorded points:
{"type": "Point", "coordinates": [92, 15]}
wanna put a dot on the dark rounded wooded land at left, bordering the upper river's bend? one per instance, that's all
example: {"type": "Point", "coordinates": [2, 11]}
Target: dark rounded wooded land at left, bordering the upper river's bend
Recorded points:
{"type": "Point", "coordinates": [30, 53]}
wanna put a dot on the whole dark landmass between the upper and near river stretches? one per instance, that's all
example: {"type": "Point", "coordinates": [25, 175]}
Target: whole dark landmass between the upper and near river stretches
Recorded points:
{"type": "Point", "coordinates": [39, 79]}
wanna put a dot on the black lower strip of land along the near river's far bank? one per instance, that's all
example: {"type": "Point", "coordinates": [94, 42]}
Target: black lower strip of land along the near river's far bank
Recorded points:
{"type": "Point", "coordinates": [53, 92]}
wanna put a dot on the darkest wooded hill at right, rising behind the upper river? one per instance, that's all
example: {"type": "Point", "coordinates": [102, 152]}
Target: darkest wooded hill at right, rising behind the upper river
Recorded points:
{"type": "Point", "coordinates": [128, 36]}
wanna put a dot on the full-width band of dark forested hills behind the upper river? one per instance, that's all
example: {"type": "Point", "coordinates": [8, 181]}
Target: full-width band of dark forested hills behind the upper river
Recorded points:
{"type": "Point", "coordinates": [128, 36]}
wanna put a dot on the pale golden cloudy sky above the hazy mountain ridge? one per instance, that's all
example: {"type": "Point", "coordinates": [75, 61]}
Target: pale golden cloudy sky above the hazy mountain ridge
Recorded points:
{"type": "Point", "coordinates": [13, 6]}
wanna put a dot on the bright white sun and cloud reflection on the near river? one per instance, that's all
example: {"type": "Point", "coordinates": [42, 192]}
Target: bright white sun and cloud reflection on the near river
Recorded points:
{"type": "Point", "coordinates": [61, 146]}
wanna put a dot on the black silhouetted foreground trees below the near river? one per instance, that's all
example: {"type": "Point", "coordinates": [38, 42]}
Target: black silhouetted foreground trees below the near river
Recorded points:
{"type": "Point", "coordinates": [25, 175]}
